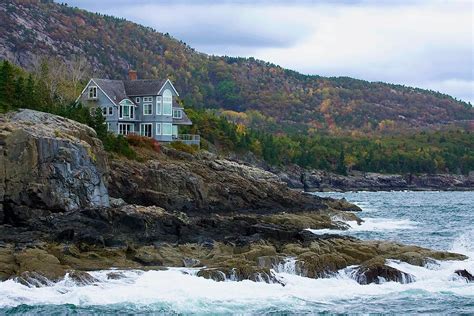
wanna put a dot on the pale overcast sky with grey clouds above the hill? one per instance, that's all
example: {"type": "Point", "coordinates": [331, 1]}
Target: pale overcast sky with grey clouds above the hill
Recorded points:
{"type": "Point", "coordinates": [423, 43]}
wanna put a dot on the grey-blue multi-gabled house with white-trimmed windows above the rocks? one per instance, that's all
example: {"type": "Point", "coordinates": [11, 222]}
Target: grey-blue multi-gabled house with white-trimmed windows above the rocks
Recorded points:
{"type": "Point", "coordinates": [144, 107]}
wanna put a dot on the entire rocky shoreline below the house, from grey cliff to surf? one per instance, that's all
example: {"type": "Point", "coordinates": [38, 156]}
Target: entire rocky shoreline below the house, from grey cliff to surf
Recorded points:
{"type": "Point", "coordinates": [68, 208]}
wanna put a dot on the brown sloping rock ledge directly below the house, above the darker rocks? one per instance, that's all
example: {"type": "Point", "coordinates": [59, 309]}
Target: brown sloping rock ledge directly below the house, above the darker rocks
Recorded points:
{"type": "Point", "coordinates": [204, 183]}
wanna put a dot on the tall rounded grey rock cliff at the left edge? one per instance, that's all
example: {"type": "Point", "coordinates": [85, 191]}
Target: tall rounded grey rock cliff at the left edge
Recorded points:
{"type": "Point", "coordinates": [48, 163]}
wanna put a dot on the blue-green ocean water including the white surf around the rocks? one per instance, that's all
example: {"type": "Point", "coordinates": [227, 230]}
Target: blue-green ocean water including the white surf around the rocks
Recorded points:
{"type": "Point", "coordinates": [440, 220]}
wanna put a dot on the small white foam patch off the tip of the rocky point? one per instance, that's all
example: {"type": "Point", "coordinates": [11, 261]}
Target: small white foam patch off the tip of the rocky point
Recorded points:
{"type": "Point", "coordinates": [370, 225]}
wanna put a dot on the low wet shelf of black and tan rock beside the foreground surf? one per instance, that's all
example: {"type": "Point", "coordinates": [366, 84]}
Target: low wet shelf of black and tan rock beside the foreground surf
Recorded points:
{"type": "Point", "coordinates": [236, 246]}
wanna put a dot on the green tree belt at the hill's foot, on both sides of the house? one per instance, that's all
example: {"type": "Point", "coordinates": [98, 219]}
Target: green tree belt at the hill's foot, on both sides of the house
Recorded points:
{"type": "Point", "coordinates": [54, 91]}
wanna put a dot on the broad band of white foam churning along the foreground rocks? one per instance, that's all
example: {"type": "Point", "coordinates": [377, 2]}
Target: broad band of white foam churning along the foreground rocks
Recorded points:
{"type": "Point", "coordinates": [182, 291]}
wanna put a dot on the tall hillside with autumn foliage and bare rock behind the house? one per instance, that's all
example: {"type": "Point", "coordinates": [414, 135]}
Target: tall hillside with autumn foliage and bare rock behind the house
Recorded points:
{"type": "Point", "coordinates": [256, 93]}
